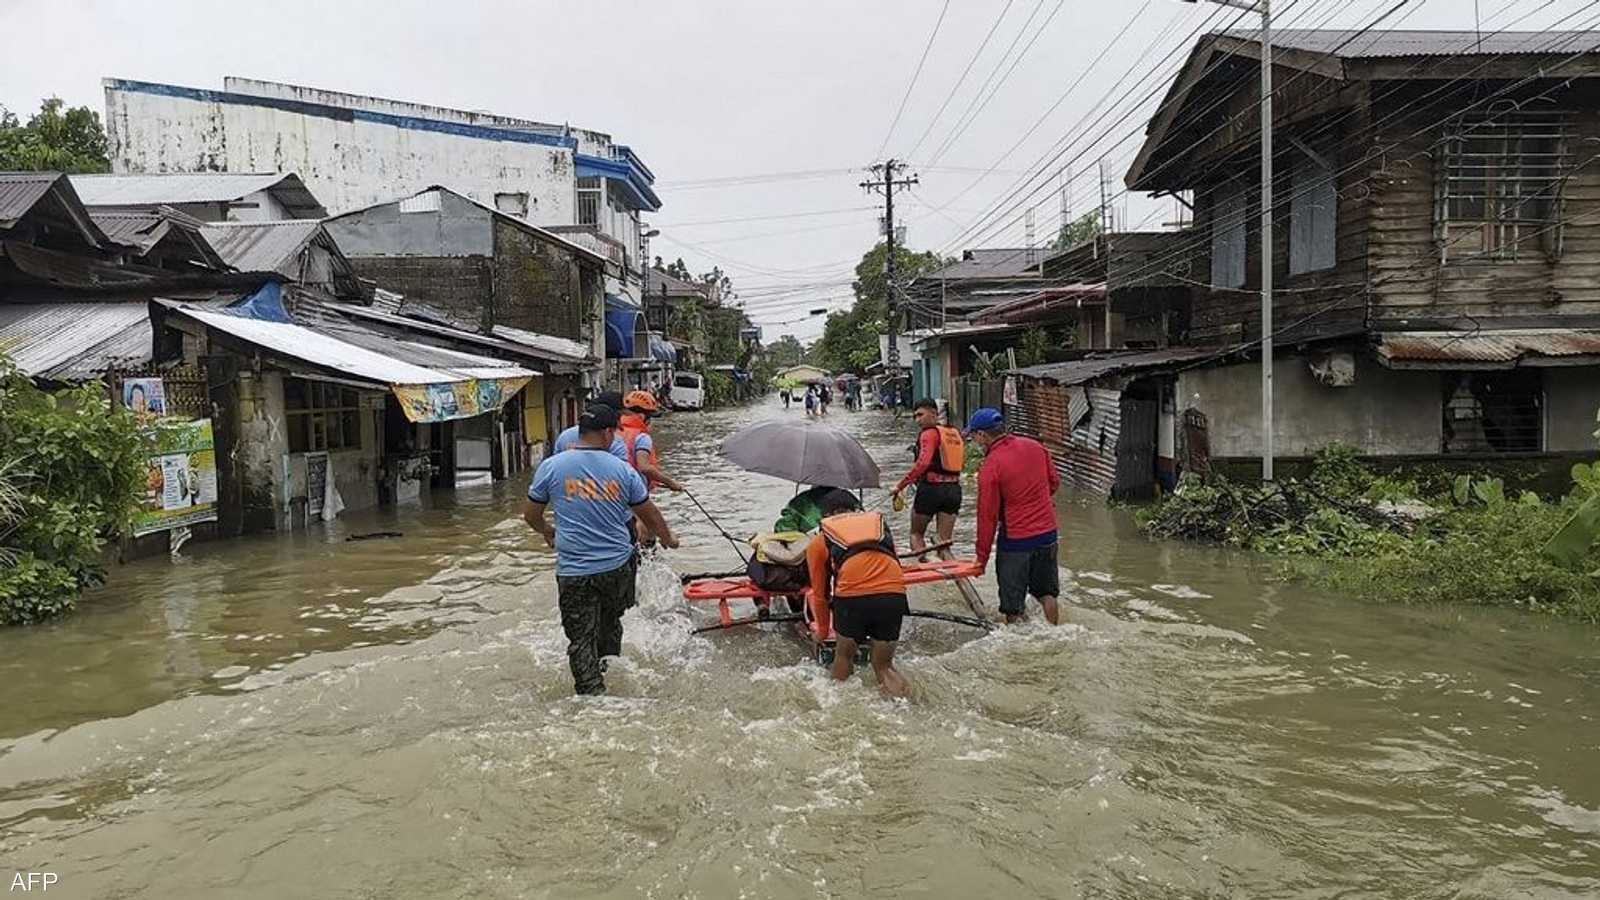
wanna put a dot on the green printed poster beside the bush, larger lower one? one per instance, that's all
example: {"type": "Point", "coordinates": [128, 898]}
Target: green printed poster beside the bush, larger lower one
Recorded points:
{"type": "Point", "coordinates": [180, 486]}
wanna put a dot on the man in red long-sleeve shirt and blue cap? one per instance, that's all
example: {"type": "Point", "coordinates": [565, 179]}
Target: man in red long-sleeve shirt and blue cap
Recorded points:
{"type": "Point", "coordinates": [1015, 492]}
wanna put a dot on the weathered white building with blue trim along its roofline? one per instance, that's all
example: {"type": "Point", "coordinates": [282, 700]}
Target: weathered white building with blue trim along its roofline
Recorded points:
{"type": "Point", "coordinates": [356, 151]}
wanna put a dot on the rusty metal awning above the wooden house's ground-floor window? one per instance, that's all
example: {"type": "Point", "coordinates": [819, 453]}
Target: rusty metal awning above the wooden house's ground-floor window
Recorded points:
{"type": "Point", "coordinates": [1486, 350]}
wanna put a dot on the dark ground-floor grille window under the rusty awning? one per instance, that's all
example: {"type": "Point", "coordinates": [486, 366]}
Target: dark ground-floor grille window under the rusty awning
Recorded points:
{"type": "Point", "coordinates": [1494, 412]}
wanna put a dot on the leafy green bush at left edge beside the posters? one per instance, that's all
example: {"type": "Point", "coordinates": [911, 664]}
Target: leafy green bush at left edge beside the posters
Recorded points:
{"type": "Point", "coordinates": [73, 468]}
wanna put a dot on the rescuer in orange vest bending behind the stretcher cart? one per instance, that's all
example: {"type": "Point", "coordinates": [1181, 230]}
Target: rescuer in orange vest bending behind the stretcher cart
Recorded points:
{"type": "Point", "coordinates": [858, 585]}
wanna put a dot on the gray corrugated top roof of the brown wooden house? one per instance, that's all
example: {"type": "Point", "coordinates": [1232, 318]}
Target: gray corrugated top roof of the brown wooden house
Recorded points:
{"type": "Point", "coordinates": [1391, 44]}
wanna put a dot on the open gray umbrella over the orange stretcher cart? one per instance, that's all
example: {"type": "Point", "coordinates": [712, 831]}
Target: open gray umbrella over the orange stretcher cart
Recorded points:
{"type": "Point", "coordinates": [804, 452]}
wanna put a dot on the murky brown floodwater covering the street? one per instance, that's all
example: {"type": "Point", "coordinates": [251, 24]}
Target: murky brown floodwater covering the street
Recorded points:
{"type": "Point", "coordinates": [310, 717]}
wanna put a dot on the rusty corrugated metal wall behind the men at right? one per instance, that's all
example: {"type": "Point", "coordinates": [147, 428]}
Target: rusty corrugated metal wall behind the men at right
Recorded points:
{"type": "Point", "coordinates": [1086, 452]}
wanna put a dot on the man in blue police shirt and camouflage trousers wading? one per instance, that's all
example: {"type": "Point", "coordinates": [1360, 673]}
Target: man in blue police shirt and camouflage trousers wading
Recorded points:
{"type": "Point", "coordinates": [594, 499]}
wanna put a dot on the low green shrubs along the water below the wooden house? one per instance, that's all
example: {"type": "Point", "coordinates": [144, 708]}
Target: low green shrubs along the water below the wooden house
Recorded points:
{"type": "Point", "coordinates": [1478, 545]}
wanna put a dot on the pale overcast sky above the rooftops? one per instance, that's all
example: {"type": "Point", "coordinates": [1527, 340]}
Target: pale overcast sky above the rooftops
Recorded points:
{"type": "Point", "coordinates": [711, 92]}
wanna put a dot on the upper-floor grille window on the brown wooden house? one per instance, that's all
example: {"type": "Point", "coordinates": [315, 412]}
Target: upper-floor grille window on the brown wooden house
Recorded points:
{"type": "Point", "coordinates": [1500, 193]}
